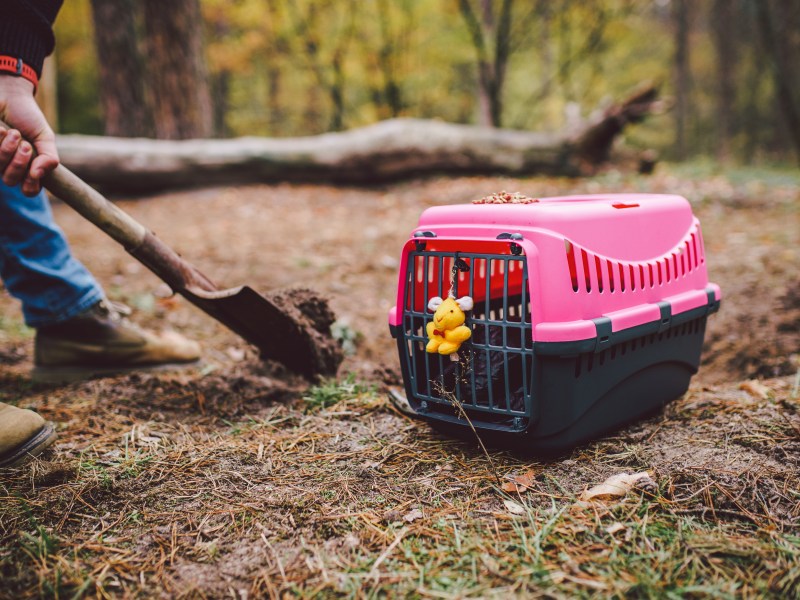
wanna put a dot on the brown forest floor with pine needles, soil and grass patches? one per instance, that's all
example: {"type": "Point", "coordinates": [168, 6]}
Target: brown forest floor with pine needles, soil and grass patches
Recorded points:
{"type": "Point", "coordinates": [235, 479]}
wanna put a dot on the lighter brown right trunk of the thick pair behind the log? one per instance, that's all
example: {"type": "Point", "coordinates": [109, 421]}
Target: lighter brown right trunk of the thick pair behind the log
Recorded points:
{"type": "Point", "coordinates": [176, 69]}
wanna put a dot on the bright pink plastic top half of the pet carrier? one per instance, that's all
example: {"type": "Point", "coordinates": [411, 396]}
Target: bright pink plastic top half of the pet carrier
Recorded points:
{"type": "Point", "coordinates": [621, 257]}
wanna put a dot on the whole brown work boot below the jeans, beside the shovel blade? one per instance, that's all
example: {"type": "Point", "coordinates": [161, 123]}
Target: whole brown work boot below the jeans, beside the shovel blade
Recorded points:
{"type": "Point", "coordinates": [101, 341]}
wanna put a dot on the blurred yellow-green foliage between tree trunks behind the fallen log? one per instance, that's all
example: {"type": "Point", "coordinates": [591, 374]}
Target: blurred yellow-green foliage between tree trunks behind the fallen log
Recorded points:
{"type": "Point", "coordinates": [300, 67]}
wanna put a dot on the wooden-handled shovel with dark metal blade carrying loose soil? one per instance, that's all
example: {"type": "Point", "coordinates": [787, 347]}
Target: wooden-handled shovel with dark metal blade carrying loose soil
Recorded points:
{"type": "Point", "coordinates": [296, 334]}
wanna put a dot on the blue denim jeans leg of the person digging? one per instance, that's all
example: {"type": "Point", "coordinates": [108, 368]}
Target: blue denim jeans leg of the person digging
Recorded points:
{"type": "Point", "coordinates": [36, 264]}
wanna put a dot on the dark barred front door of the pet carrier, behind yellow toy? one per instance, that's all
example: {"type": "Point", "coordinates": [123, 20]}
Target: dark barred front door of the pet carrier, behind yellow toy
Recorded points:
{"type": "Point", "coordinates": [492, 380]}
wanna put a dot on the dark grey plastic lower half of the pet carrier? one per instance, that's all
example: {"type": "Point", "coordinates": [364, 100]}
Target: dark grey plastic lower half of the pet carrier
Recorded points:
{"type": "Point", "coordinates": [571, 393]}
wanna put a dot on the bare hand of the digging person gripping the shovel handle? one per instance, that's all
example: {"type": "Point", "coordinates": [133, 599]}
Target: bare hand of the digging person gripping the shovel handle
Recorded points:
{"type": "Point", "coordinates": [19, 110]}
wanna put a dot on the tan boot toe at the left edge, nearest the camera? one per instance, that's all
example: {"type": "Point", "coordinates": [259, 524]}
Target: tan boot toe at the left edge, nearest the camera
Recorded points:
{"type": "Point", "coordinates": [23, 435]}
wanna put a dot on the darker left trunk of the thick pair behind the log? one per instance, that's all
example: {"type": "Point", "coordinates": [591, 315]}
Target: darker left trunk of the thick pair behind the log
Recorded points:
{"type": "Point", "coordinates": [122, 91]}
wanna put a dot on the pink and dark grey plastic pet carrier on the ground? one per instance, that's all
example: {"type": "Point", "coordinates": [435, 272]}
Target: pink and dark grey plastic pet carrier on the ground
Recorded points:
{"type": "Point", "coordinates": [587, 312]}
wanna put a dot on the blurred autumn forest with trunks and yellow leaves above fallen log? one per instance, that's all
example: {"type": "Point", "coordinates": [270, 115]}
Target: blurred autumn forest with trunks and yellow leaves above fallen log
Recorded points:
{"type": "Point", "coordinates": [226, 68]}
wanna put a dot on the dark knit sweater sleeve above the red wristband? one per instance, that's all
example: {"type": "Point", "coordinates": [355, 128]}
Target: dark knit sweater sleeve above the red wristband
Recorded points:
{"type": "Point", "coordinates": [26, 30]}
